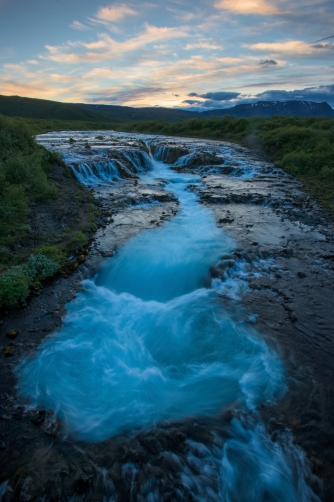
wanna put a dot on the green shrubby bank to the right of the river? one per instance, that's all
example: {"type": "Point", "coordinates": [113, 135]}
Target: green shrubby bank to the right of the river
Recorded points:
{"type": "Point", "coordinates": [303, 147]}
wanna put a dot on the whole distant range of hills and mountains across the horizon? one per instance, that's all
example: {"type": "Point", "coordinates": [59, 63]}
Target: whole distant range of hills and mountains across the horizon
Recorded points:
{"type": "Point", "coordinates": [16, 106]}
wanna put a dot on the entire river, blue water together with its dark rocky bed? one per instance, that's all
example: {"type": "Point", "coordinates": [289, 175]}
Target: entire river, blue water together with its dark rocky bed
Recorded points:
{"type": "Point", "coordinates": [194, 361]}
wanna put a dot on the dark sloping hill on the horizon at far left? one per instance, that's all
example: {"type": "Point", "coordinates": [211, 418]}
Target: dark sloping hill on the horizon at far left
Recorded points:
{"type": "Point", "coordinates": [16, 106]}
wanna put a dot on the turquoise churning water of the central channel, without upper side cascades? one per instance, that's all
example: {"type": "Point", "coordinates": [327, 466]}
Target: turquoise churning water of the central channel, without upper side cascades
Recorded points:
{"type": "Point", "coordinates": [149, 342]}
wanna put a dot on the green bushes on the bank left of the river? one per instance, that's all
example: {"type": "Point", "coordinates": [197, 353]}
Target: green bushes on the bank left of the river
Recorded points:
{"type": "Point", "coordinates": [27, 185]}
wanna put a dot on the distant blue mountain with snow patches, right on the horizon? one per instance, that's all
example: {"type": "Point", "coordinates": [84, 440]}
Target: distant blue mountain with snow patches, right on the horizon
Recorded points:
{"type": "Point", "coordinates": [268, 109]}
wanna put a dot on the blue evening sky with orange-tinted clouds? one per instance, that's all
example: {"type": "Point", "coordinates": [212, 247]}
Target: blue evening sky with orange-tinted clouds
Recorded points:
{"type": "Point", "coordinates": [191, 54]}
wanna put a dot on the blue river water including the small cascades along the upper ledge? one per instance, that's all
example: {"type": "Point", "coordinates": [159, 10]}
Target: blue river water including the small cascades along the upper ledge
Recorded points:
{"type": "Point", "coordinates": [150, 343]}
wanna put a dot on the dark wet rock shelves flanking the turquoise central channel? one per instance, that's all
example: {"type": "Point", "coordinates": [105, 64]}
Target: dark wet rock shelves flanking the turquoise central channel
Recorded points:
{"type": "Point", "coordinates": [280, 273]}
